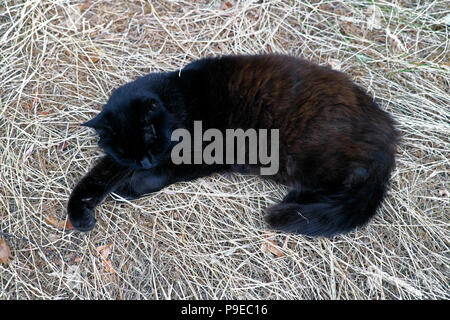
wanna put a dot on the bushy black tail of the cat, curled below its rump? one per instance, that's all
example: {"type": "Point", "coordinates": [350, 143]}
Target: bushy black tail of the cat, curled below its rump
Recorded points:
{"type": "Point", "coordinates": [316, 213]}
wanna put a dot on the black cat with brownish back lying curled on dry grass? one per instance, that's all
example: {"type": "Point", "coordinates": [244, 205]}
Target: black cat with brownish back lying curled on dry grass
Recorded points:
{"type": "Point", "coordinates": [337, 147]}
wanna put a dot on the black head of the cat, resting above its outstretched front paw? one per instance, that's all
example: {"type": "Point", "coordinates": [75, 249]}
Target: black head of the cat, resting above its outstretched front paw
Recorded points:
{"type": "Point", "coordinates": [134, 129]}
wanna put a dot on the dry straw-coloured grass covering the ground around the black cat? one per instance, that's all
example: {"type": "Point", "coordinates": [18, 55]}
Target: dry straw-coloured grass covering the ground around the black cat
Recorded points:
{"type": "Point", "coordinates": [59, 61]}
